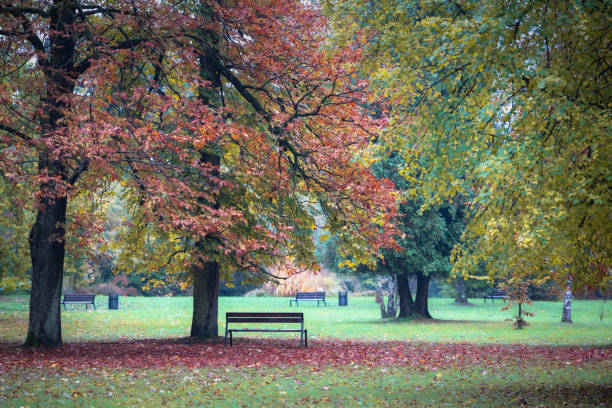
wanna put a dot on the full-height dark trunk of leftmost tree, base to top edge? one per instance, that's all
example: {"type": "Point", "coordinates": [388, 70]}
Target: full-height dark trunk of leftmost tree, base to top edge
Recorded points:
{"type": "Point", "coordinates": [47, 236]}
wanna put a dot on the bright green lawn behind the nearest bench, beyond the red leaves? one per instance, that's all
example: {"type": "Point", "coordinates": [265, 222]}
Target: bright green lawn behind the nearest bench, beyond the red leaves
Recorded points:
{"type": "Point", "coordinates": [170, 317]}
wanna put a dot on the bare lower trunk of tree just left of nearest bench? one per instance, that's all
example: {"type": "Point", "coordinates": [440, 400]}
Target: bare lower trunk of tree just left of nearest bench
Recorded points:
{"type": "Point", "coordinates": [204, 323]}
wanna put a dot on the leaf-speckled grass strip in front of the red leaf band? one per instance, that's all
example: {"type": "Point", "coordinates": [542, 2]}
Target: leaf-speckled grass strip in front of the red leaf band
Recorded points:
{"type": "Point", "coordinates": [309, 386]}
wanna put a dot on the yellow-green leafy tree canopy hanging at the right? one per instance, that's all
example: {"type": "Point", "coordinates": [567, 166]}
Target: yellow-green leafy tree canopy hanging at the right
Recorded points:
{"type": "Point", "coordinates": [508, 101]}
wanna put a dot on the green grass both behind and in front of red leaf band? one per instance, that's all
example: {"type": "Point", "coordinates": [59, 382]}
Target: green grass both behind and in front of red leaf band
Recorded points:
{"type": "Point", "coordinates": [505, 385]}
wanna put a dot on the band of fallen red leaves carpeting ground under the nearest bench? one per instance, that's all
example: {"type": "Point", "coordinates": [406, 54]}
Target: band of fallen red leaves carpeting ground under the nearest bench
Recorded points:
{"type": "Point", "coordinates": [156, 353]}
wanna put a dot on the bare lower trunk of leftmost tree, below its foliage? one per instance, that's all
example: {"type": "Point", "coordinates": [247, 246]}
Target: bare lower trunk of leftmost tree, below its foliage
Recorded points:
{"type": "Point", "coordinates": [47, 253]}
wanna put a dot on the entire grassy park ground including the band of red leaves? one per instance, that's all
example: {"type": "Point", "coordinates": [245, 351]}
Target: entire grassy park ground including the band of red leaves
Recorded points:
{"type": "Point", "coordinates": [462, 373]}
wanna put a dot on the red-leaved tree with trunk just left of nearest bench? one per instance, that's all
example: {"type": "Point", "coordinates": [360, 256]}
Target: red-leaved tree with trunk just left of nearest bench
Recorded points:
{"type": "Point", "coordinates": [279, 155]}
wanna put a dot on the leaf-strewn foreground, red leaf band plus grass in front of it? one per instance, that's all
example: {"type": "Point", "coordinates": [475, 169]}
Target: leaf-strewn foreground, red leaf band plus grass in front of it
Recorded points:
{"type": "Point", "coordinates": [273, 372]}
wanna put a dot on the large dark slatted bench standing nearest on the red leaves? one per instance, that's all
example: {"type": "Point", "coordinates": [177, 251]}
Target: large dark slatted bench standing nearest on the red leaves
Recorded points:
{"type": "Point", "coordinates": [238, 317]}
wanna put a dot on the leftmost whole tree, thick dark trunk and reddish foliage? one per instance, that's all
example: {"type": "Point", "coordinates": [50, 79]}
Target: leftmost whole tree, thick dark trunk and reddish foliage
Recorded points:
{"type": "Point", "coordinates": [55, 55]}
